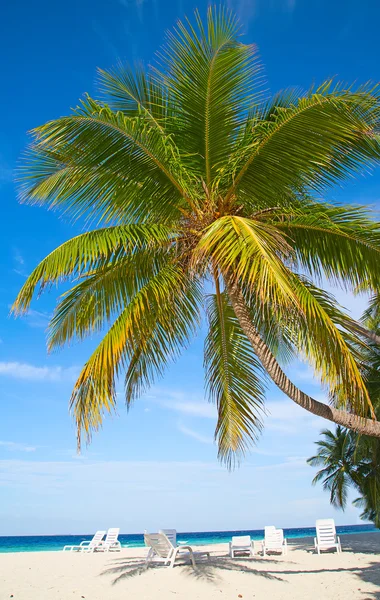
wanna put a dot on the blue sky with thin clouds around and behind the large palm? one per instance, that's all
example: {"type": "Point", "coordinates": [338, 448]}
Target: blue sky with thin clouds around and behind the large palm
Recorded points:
{"type": "Point", "coordinates": [156, 466]}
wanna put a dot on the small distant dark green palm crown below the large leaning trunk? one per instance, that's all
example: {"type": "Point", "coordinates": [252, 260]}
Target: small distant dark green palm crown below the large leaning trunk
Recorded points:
{"type": "Point", "coordinates": [336, 454]}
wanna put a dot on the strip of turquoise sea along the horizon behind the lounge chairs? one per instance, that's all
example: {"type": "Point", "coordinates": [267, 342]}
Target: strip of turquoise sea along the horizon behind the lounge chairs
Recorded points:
{"type": "Point", "coordinates": [37, 543]}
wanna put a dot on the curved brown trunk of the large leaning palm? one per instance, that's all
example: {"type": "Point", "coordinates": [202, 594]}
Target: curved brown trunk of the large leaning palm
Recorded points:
{"type": "Point", "coordinates": [340, 417]}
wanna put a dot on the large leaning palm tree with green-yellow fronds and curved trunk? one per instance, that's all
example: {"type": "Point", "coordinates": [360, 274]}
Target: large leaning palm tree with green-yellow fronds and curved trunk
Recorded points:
{"type": "Point", "coordinates": [191, 176]}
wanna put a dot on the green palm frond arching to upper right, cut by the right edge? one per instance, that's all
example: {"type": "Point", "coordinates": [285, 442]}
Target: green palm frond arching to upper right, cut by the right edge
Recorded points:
{"type": "Point", "coordinates": [324, 137]}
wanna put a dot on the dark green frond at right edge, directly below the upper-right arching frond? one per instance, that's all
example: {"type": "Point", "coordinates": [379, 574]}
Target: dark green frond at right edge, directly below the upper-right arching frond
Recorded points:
{"type": "Point", "coordinates": [339, 243]}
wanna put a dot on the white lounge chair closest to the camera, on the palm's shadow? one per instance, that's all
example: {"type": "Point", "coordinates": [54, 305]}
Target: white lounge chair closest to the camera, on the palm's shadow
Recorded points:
{"type": "Point", "coordinates": [163, 551]}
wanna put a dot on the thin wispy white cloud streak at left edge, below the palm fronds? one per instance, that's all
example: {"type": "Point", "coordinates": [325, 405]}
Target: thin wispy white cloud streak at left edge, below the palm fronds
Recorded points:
{"type": "Point", "coordinates": [29, 372]}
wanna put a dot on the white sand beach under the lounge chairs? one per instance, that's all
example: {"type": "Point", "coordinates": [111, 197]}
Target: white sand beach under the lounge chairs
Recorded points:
{"type": "Point", "coordinates": [301, 575]}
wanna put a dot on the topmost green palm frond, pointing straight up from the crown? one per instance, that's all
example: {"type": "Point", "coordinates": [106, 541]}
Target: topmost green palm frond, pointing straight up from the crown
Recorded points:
{"type": "Point", "coordinates": [213, 80]}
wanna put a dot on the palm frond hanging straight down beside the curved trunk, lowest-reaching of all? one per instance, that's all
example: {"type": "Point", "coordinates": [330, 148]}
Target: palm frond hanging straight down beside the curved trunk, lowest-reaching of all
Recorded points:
{"type": "Point", "coordinates": [234, 380]}
